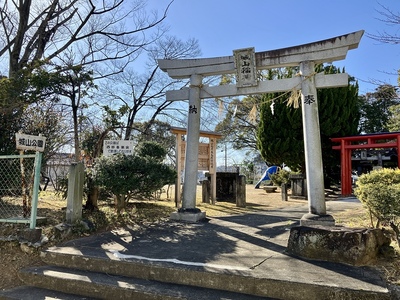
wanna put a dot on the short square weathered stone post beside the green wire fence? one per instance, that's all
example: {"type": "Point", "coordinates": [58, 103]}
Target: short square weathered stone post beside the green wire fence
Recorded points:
{"type": "Point", "coordinates": [75, 192]}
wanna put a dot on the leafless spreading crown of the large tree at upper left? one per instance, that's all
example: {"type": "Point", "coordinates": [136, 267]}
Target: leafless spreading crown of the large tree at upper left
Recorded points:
{"type": "Point", "coordinates": [94, 31]}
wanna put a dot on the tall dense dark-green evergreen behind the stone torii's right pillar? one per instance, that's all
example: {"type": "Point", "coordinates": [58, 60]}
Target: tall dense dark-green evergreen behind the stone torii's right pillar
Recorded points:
{"type": "Point", "coordinates": [280, 133]}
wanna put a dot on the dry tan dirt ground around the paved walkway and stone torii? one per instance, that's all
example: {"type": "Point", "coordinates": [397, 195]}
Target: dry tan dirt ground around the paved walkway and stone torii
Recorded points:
{"type": "Point", "coordinates": [14, 256]}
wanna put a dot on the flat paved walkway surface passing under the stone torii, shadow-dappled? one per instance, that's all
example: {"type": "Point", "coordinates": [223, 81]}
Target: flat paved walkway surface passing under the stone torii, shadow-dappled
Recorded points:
{"type": "Point", "coordinates": [251, 244]}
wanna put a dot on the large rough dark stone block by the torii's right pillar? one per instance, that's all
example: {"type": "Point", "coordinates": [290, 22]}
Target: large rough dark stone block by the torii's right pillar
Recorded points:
{"type": "Point", "coordinates": [355, 246]}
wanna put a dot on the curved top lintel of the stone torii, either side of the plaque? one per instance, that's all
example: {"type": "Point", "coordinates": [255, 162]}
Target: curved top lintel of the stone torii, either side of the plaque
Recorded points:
{"type": "Point", "coordinates": [322, 51]}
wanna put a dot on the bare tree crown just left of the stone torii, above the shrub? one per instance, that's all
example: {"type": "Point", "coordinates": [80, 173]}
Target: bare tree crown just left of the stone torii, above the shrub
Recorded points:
{"type": "Point", "coordinates": [132, 96]}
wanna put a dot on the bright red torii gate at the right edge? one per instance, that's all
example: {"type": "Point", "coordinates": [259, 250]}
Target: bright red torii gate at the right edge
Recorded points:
{"type": "Point", "coordinates": [365, 141]}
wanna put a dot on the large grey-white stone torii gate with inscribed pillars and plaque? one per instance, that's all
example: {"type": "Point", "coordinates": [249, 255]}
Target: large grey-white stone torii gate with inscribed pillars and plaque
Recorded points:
{"type": "Point", "coordinates": [305, 56]}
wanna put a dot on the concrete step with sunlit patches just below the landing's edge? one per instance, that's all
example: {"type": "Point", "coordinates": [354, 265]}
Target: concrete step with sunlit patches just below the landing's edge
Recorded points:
{"type": "Point", "coordinates": [107, 286]}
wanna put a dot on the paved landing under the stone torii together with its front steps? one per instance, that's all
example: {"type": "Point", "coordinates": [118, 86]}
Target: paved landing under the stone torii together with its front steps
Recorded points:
{"type": "Point", "coordinates": [236, 257]}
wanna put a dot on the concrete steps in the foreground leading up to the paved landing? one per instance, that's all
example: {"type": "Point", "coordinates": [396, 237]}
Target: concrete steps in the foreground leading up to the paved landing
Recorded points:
{"type": "Point", "coordinates": [75, 276]}
